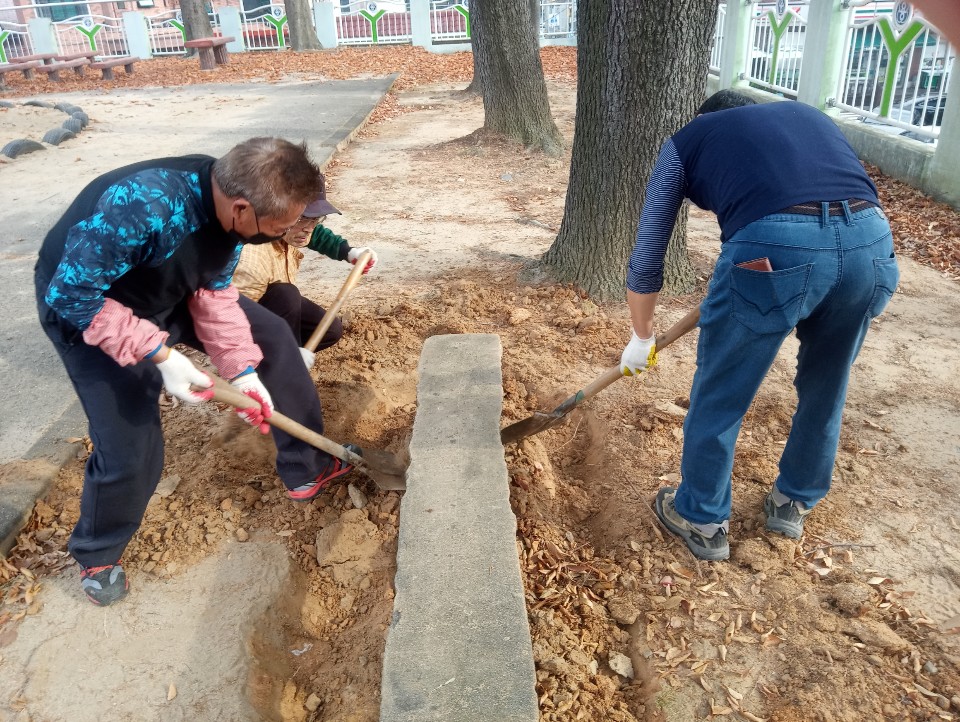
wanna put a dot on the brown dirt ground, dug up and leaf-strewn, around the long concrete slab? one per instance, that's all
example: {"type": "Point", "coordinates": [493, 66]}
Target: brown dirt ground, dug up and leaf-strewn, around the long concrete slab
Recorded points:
{"type": "Point", "coordinates": [858, 621]}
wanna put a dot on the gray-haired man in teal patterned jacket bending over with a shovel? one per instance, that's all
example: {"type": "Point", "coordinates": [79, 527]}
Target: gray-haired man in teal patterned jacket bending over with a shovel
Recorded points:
{"type": "Point", "coordinates": [142, 260]}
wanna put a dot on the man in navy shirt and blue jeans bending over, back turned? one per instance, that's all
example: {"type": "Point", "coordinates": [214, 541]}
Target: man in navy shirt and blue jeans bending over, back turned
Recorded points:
{"type": "Point", "coordinates": [787, 188]}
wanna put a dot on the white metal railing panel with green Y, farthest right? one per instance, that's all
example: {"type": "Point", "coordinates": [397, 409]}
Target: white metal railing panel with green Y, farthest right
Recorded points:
{"type": "Point", "coordinates": [896, 70]}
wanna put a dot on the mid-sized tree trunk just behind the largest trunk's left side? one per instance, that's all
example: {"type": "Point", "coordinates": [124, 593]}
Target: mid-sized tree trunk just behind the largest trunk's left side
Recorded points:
{"type": "Point", "coordinates": [507, 54]}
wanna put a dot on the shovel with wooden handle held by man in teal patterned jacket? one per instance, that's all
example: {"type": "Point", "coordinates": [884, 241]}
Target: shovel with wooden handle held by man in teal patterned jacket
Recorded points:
{"type": "Point", "coordinates": [387, 470]}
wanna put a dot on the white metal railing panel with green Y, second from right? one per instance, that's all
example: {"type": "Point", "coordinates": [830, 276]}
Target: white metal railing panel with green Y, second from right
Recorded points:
{"type": "Point", "coordinates": [777, 36]}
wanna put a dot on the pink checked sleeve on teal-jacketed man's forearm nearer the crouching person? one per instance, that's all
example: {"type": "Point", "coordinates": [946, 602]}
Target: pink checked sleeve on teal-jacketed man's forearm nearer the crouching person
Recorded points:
{"type": "Point", "coordinates": [223, 329]}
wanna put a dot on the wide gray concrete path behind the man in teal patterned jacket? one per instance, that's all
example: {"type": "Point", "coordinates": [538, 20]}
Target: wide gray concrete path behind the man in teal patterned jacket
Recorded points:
{"type": "Point", "coordinates": [38, 402]}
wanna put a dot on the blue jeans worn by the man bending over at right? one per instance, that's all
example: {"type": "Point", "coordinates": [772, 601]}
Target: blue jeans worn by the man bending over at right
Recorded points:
{"type": "Point", "coordinates": [832, 275]}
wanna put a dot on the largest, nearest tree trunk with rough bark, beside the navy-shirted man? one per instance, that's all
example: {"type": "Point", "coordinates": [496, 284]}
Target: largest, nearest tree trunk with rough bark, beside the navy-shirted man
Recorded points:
{"type": "Point", "coordinates": [642, 68]}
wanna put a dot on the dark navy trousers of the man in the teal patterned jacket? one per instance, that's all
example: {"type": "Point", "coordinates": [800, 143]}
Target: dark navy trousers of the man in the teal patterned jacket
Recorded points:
{"type": "Point", "coordinates": [121, 404]}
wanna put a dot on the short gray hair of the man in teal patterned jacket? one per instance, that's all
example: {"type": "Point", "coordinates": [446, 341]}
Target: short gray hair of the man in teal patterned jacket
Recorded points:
{"type": "Point", "coordinates": [271, 173]}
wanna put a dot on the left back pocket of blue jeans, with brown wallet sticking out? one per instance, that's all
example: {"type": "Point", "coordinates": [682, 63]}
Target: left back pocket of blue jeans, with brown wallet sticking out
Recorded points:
{"type": "Point", "coordinates": [769, 302]}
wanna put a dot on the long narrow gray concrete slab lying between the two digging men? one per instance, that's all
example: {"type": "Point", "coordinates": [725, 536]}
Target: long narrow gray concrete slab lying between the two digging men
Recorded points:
{"type": "Point", "coordinates": [458, 647]}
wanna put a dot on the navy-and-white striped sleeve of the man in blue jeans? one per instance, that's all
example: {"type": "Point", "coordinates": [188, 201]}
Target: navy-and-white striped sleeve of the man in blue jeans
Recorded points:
{"type": "Point", "coordinates": [663, 198]}
